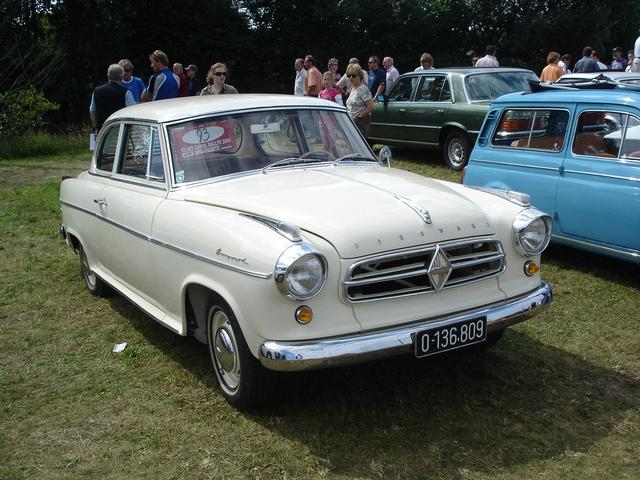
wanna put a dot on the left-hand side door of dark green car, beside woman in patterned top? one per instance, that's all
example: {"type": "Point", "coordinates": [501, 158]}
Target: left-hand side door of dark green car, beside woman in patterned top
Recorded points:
{"type": "Point", "coordinates": [388, 119]}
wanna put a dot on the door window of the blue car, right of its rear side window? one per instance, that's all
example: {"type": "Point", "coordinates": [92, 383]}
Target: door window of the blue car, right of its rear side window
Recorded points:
{"type": "Point", "coordinates": [598, 133]}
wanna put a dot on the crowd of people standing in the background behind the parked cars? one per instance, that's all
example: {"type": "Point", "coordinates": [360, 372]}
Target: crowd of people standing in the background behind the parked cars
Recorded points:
{"type": "Point", "coordinates": [357, 89]}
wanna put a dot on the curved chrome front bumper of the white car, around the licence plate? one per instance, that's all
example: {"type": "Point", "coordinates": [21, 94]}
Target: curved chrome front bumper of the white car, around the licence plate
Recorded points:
{"type": "Point", "coordinates": [291, 356]}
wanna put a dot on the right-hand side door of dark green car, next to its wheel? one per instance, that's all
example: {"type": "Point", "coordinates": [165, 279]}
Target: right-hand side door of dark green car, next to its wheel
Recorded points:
{"type": "Point", "coordinates": [426, 114]}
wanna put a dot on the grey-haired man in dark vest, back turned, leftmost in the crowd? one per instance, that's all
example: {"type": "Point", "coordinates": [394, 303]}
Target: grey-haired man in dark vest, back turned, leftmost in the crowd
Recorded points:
{"type": "Point", "coordinates": [110, 97]}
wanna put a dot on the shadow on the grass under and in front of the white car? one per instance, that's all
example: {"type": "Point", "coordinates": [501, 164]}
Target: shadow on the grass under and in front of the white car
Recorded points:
{"type": "Point", "coordinates": [520, 402]}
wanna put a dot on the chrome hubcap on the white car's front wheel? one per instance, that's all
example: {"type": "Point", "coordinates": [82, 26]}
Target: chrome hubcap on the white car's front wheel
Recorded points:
{"type": "Point", "coordinates": [225, 351]}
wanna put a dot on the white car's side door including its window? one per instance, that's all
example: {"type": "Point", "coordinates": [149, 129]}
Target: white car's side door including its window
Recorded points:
{"type": "Point", "coordinates": [130, 200]}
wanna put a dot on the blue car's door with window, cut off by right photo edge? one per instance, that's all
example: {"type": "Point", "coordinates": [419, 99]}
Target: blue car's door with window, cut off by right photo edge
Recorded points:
{"type": "Point", "coordinates": [598, 195]}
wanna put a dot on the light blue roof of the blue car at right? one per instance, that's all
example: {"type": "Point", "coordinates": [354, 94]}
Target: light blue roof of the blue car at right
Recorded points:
{"type": "Point", "coordinates": [622, 96]}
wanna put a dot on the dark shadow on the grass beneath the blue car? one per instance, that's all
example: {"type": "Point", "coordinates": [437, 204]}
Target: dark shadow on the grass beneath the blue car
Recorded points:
{"type": "Point", "coordinates": [606, 268]}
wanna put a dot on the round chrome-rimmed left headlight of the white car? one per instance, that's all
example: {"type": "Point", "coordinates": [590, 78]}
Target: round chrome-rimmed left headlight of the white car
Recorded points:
{"type": "Point", "coordinates": [300, 272]}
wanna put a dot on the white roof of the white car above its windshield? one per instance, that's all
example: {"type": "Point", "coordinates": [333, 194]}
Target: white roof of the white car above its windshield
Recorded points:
{"type": "Point", "coordinates": [162, 111]}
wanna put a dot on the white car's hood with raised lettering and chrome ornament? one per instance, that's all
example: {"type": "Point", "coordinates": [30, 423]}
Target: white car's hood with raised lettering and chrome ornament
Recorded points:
{"type": "Point", "coordinates": [360, 210]}
